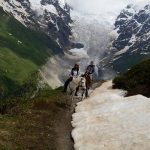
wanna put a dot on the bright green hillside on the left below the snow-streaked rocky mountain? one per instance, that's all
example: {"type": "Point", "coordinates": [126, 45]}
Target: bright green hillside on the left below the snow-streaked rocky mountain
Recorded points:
{"type": "Point", "coordinates": [19, 60]}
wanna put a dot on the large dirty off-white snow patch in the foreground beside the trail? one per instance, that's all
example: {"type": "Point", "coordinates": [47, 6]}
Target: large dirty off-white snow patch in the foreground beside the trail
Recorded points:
{"type": "Point", "coordinates": [109, 121]}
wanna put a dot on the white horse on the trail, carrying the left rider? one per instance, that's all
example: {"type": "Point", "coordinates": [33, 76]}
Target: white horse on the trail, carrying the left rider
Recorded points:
{"type": "Point", "coordinates": [77, 84]}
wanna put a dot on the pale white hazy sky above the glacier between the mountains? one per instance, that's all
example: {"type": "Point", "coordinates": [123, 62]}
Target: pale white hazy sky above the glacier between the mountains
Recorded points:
{"type": "Point", "coordinates": [102, 6]}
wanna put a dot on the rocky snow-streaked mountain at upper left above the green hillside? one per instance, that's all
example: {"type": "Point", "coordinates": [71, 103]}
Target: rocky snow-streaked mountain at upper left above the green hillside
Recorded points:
{"type": "Point", "coordinates": [50, 16]}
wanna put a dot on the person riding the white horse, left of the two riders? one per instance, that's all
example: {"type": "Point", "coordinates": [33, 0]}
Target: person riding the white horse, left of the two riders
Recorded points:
{"type": "Point", "coordinates": [75, 72]}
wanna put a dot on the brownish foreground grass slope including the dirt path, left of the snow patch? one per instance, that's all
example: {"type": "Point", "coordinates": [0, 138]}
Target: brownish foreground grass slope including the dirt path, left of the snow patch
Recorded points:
{"type": "Point", "coordinates": [40, 124]}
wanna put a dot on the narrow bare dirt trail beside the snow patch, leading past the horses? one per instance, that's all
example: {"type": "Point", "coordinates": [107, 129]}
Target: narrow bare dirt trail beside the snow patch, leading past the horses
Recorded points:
{"type": "Point", "coordinates": [63, 124]}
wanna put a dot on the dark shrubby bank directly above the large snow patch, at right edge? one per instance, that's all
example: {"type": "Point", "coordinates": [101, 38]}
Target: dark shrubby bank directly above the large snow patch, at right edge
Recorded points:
{"type": "Point", "coordinates": [138, 76]}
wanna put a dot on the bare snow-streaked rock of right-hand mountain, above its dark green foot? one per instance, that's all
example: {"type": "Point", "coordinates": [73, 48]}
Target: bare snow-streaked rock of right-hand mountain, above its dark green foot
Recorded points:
{"type": "Point", "coordinates": [133, 27]}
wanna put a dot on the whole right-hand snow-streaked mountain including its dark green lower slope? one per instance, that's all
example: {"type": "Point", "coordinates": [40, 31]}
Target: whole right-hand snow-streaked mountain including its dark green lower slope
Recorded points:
{"type": "Point", "coordinates": [132, 43]}
